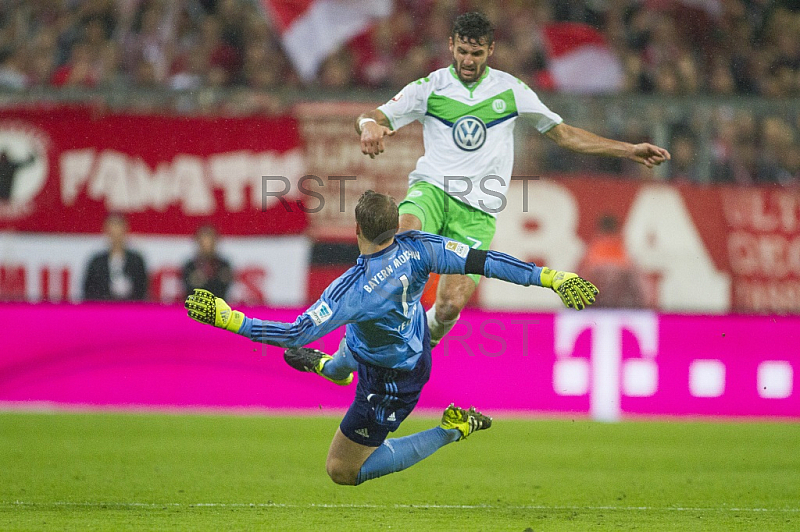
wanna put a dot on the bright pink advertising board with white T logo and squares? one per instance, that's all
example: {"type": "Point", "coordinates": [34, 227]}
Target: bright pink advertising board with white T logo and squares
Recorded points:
{"type": "Point", "coordinates": [604, 364]}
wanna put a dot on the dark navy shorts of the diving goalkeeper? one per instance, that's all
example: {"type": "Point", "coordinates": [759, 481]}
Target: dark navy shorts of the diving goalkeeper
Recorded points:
{"type": "Point", "coordinates": [384, 398]}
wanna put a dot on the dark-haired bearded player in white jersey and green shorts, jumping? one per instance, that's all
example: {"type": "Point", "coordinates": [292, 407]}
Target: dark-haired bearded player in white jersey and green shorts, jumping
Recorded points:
{"type": "Point", "coordinates": [468, 111]}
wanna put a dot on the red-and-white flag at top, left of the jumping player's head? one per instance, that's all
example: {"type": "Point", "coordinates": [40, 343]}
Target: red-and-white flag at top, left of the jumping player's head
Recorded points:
{"type": "Point", "coordinates": [313, 29]}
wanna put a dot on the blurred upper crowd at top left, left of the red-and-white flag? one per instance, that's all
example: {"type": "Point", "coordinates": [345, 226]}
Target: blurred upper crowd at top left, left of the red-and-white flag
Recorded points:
{"type": "Point", "coordinates": [147, 44]}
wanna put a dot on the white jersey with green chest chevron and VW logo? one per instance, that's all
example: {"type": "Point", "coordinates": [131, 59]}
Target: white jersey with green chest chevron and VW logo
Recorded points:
{"type": "Point", "coordinates": [468, 131]}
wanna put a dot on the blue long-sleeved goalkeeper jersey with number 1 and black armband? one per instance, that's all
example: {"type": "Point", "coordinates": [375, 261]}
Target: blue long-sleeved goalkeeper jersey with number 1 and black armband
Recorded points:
{"type": "Point", "coordinates": [378, 299]}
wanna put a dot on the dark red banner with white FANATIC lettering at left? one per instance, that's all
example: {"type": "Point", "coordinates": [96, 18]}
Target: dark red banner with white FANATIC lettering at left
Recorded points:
{"type": "Point", "coordinates": [62, 169]}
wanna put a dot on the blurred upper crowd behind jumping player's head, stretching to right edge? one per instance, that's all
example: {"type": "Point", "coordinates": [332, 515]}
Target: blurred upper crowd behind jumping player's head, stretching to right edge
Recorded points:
{"type": "Point", "coordinates": [669, 47]}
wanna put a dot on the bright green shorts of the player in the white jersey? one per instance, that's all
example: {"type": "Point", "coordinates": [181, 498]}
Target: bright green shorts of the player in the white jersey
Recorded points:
{"type": "Point", "coordinates": [441, 214]}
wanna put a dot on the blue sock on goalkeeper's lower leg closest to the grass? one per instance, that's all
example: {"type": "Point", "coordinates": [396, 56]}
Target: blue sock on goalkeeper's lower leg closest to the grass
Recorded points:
{"type": "Point", "coordinates": [399, 453]}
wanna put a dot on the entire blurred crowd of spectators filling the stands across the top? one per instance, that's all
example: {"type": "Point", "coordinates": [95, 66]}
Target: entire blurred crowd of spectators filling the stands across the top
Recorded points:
{"type": "Point", "coordinates": [717, 48]}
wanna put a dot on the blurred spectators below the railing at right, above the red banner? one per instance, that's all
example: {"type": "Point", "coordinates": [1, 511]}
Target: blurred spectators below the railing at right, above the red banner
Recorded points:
{"type": "Point", "coordinates": [710, 143]}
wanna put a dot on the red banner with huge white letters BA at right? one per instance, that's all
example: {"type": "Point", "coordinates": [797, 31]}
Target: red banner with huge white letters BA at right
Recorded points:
{"type": "Point", "coordinates": [701, 248]}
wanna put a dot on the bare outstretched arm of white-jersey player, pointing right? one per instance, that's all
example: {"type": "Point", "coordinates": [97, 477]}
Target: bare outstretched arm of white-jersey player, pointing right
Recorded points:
{"type": "Point", "coordinates": [582, 141]}
